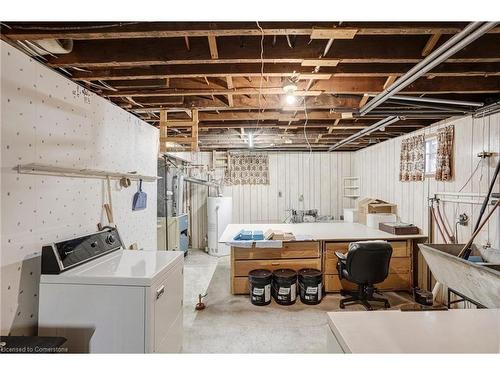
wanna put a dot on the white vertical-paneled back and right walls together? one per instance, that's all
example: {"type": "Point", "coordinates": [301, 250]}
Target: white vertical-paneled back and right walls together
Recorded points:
{"type": "Point", "coordinates": [318, 177]}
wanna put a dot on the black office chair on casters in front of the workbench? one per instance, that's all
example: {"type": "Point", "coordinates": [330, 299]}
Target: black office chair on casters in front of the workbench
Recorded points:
{"type": "Point", "coordinates": [365, 264]}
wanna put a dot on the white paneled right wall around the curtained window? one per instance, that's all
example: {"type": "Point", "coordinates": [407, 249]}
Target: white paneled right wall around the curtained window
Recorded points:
{"type": "Point", "coordinates": [378, 167]}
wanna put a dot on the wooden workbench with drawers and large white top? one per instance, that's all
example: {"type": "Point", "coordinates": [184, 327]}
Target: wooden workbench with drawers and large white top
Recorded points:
{"type": "Point", "coordinates": [319, 253]}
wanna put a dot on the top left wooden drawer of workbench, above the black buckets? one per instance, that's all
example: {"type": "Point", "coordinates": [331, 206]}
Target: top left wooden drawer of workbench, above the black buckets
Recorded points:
{"type": "Point", "coordinates": [290, 250]}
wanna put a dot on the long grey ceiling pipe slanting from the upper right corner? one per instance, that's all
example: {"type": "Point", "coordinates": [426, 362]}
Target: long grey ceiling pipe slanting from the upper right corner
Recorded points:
{"type": "Point", "coordinates": [471, 32]}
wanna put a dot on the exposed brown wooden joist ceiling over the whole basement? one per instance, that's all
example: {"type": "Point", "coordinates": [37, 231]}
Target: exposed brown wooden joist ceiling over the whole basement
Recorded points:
{"type": "Point", "coordinates": [216, 69]}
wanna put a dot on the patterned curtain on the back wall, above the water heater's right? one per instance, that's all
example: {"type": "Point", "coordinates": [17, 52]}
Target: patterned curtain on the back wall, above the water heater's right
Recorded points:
{"type": "Point", "coordinates": [247, 169]}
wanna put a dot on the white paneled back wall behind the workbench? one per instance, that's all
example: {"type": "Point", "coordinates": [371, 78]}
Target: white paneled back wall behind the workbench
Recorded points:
{"type": "Point", "coordinates": [316, 176]}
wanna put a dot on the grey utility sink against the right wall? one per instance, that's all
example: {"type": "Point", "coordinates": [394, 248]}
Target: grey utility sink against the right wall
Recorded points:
{"type": "Point", "coordinates": [479, 281]}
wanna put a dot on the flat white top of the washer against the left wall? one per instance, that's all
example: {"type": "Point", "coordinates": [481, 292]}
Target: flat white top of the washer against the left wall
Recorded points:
{"type": "Point", "coordinates": [123, 267]}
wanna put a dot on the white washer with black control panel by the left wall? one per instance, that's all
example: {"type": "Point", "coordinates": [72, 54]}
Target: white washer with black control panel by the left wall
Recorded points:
{"type": "Point", "coordinates": [124, 301]}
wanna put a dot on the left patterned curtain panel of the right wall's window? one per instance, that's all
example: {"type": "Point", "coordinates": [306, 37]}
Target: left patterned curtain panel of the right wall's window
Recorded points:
{"type": "Point", "coordinates": [412, 159]}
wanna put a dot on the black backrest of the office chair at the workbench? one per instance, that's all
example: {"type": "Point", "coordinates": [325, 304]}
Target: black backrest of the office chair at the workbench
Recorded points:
{"type": "Point", "coordinates": [368, 262]}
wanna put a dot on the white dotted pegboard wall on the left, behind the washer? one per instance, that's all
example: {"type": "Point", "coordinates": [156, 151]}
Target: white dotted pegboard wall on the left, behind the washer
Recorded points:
{"type": "Point", "coordinates": [46, 118]}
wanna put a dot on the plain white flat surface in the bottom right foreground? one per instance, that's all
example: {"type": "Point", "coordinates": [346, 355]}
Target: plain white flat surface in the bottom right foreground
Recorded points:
{"type": "Point", "coordinates": [452, 331]}
